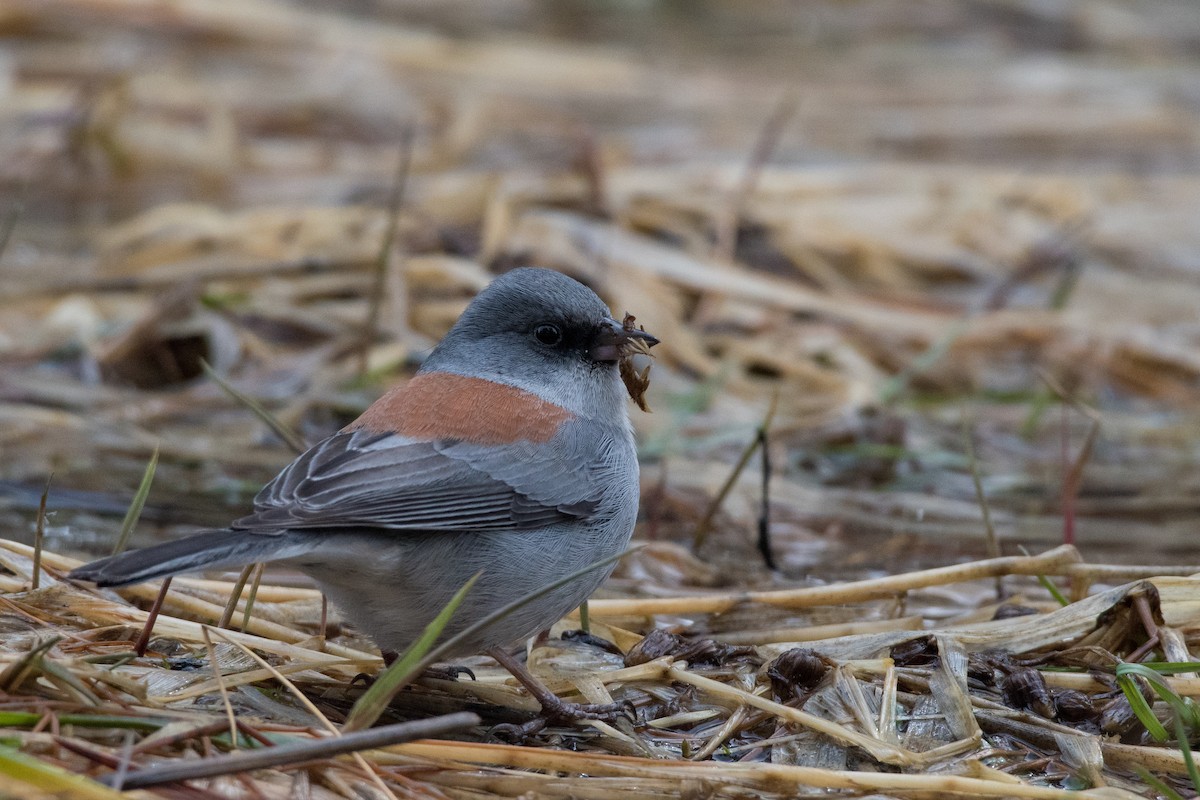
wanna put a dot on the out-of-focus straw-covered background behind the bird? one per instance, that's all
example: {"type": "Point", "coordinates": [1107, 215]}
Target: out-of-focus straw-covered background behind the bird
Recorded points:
{"type": "Point", "coordinates": [943, 242]}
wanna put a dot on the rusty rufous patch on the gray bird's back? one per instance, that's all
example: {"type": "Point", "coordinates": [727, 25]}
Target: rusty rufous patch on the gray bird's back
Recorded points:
{"type": "Point", "coordinates": [446, 406]}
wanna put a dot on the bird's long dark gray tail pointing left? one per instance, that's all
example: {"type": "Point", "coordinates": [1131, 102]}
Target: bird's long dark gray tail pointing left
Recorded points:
{"type": "Point", "coordinates": [208, 550]}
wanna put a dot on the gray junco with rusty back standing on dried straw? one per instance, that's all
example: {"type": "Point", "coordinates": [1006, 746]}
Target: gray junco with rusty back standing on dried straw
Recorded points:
{"type": "Point", "coordinates": [509, 453]}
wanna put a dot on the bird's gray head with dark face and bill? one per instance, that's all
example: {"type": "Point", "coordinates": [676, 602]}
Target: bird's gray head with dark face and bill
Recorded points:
{"type": "Point", "coordinates": [545, 333]}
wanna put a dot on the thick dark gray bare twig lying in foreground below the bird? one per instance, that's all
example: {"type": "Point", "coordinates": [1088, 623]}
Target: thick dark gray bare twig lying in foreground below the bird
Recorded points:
{"type": "Point", "coordinates": [301, 751]}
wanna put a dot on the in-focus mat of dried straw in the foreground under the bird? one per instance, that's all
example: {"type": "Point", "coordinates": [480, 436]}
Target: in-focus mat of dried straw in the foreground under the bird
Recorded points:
{"type": "Point", "coordinates": [79, 699]}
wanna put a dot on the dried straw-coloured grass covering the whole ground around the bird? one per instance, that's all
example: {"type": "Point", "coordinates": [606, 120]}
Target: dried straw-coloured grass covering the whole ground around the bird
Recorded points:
{"type": "Point", "coordinates": [1001, 232]}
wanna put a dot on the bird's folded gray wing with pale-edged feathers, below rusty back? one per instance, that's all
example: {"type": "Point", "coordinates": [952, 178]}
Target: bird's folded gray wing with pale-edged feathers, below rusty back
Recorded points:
{"type": "Point", "coordinates": [363, 479]}
